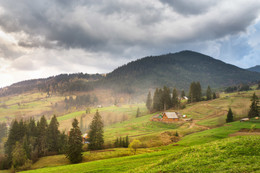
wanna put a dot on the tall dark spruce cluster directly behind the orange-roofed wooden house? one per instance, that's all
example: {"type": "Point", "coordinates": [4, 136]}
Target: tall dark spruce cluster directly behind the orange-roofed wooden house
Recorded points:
{"type": "Point", "coordinates": [163, 99]}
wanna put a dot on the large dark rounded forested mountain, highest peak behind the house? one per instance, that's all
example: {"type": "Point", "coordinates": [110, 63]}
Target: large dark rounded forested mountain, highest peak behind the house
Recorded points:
{"type": "Point", "coordinates": [176, 70]}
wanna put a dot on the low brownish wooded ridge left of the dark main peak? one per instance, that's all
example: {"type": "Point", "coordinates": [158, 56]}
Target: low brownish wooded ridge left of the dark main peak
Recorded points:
{"type": "Point", "coordinates": [60, 83]}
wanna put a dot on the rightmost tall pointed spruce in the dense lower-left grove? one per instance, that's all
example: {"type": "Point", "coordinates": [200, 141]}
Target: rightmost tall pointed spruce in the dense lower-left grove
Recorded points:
{"type": "Point", "coordinates": [53, 135]}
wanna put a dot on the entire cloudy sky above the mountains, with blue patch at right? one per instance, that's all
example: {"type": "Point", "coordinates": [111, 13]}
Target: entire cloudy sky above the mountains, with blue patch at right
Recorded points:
{"type": "Point", "coordinates": [44, 38]}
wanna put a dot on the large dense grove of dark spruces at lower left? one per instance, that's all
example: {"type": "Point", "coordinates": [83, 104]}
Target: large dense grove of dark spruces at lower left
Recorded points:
{"type": "Point", "coordinates": [29, 140]}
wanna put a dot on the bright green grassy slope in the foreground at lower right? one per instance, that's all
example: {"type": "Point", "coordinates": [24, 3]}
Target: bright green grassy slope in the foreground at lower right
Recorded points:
{"type": "Point", "coordinates": [211, 147]}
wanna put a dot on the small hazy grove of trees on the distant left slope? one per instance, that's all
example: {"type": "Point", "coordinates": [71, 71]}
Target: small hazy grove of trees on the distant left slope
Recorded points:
{"type": "Point", "coordinates": [79, 101]}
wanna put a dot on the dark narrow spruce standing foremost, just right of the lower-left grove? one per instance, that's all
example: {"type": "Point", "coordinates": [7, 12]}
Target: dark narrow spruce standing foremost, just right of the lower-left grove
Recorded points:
{"type": "Point", "coordinates": [74, 151]}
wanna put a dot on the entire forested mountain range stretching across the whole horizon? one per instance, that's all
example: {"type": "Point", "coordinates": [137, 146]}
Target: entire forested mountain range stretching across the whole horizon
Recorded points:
{"type": "Point", "coordinates": [173, 70]}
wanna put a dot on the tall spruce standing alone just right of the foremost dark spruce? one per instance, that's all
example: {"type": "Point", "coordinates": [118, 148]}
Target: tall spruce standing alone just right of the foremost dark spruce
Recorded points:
{"type": "Point", "coordinates": [96, 139]}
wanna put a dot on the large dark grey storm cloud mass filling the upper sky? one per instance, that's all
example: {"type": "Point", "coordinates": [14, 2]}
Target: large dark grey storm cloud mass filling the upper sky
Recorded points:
{"type": "Point", "coordinates": [111, 25]}
